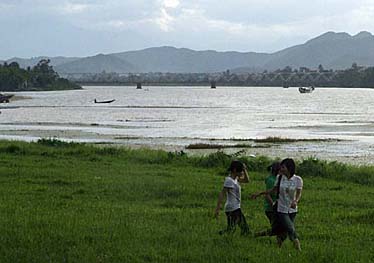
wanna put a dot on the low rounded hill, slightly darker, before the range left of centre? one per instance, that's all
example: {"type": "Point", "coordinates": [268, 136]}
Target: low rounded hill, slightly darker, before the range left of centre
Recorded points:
{"type": "Point", "coordinates": [96, 64]}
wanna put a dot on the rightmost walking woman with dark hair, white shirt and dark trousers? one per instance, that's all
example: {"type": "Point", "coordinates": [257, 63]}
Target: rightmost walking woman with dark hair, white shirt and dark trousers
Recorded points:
{"type": "Point", "coordinates": [289, 187]}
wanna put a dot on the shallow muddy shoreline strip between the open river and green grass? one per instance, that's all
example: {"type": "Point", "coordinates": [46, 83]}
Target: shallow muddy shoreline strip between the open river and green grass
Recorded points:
{"type": "Point", "coordinates": [343, 151]}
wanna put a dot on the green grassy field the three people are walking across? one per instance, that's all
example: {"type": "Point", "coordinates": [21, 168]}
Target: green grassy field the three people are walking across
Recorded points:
{"type": "Point", "coordinates": [64, 202]}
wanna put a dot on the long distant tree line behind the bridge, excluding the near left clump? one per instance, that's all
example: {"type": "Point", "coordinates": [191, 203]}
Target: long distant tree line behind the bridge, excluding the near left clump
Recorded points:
{"type": "Point", "coordinates": [353, 77]}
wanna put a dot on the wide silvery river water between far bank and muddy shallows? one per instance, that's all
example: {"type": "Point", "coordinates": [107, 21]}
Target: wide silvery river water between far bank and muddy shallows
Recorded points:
{"type": "Point", "coordinates": [179, 115]}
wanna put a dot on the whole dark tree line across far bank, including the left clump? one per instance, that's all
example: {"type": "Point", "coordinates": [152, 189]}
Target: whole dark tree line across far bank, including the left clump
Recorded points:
{"type": "Point", "coordinates": [43, 77]}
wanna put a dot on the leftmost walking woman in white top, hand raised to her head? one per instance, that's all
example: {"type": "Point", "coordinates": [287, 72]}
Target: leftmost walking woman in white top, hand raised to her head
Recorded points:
{"type": "Point", "coordinates": [232, 190]}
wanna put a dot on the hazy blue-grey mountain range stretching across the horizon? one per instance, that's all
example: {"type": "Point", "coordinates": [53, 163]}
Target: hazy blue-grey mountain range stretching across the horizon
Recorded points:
{"type": "Point", "coordinates": [331, 50]}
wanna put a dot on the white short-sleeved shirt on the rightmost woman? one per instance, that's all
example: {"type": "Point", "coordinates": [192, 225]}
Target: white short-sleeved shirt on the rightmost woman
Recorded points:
{"type": "Point", "coordinates": [287, 192]}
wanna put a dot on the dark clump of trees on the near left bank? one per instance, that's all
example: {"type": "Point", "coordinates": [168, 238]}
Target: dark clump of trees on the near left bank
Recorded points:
{"type": "Point", "coordinates": [40, 77]}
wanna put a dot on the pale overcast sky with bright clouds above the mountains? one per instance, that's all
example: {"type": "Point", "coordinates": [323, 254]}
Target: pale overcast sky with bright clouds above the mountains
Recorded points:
{"type": "Point", "coordinates": [30, 28]}
